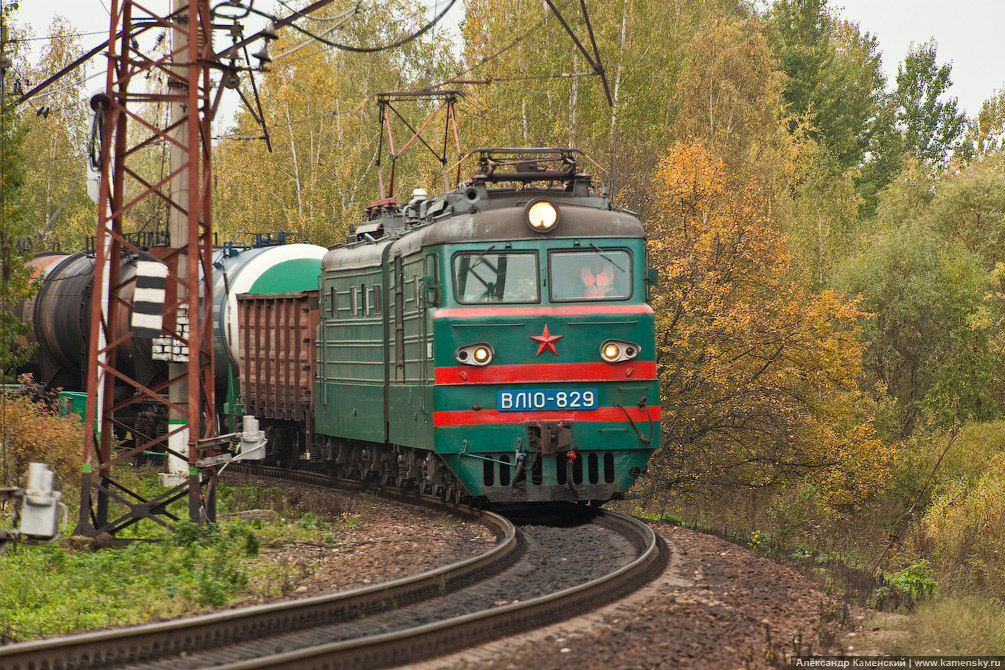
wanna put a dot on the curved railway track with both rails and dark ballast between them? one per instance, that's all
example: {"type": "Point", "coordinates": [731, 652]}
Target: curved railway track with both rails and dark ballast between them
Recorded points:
{"type": "Point", "coordinates": [536, 575]}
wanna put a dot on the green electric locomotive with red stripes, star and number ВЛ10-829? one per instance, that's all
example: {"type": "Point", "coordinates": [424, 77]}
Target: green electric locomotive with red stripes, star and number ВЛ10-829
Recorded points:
{"type": "Point", "coordinates": [492, 343]}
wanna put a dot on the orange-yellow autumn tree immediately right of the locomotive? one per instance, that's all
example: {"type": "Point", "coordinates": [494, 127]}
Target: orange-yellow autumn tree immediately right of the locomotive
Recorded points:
{"type": "Point", "coordinates": [759, 379]}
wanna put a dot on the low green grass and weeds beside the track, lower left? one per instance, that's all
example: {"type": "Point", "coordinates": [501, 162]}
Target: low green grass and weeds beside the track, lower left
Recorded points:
{"type": "Point", "coordinates": [48, 590]}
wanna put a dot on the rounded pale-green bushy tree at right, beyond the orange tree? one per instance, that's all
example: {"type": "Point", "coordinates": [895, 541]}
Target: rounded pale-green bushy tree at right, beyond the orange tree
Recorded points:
{"type": "Point", "coordinates": [924, 349]}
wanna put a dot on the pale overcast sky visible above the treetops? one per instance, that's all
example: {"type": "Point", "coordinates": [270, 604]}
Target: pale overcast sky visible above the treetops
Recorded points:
{"type": "Point", "coordinates": [968, 34]}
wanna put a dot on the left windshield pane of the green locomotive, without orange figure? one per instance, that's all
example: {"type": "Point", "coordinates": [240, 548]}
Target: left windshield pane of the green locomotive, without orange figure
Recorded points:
{"type": "Point", "coordinates": [497, 277]}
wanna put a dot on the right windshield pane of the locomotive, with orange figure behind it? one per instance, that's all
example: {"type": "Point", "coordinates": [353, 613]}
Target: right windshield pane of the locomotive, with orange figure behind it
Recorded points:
{"type": "Point", "coordinates": [591, 275]}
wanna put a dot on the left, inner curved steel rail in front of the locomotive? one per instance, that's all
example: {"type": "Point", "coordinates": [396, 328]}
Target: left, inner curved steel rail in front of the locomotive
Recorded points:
{"type": "Point", "coordinates": [149, 641]}
